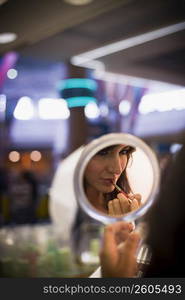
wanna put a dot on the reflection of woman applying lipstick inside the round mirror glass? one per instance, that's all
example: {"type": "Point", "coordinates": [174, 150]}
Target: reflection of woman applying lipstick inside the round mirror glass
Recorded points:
{"type": "Point", "coordinates": [112, 179]}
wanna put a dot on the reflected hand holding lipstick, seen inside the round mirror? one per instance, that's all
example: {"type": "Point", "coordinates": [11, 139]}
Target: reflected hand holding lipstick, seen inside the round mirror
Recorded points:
{"type": "Point", "coordinates": [124, 204]}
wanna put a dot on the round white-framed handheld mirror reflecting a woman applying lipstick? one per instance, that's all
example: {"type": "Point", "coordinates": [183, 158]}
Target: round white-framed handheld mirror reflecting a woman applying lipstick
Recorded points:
{"type": "Point", "coordinates": [116, 178]}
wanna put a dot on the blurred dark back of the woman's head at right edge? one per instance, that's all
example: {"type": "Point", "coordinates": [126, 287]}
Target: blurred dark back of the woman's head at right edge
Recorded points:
{"type": "Point", "coordinates": [167, 223]}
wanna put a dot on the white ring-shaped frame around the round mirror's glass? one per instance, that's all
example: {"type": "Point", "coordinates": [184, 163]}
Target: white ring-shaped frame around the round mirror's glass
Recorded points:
{"type": "Point", "coordinates": [89, 151]}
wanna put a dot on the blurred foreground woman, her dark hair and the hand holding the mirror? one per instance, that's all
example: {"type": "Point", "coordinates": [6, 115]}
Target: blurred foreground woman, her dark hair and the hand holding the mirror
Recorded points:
{"type": "Point", "coordinates": [166, 230]}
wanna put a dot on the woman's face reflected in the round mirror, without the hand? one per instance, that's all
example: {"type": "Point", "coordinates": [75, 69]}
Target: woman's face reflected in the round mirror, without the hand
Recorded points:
{"type": "Point", "coordinates": [105, 168]}
